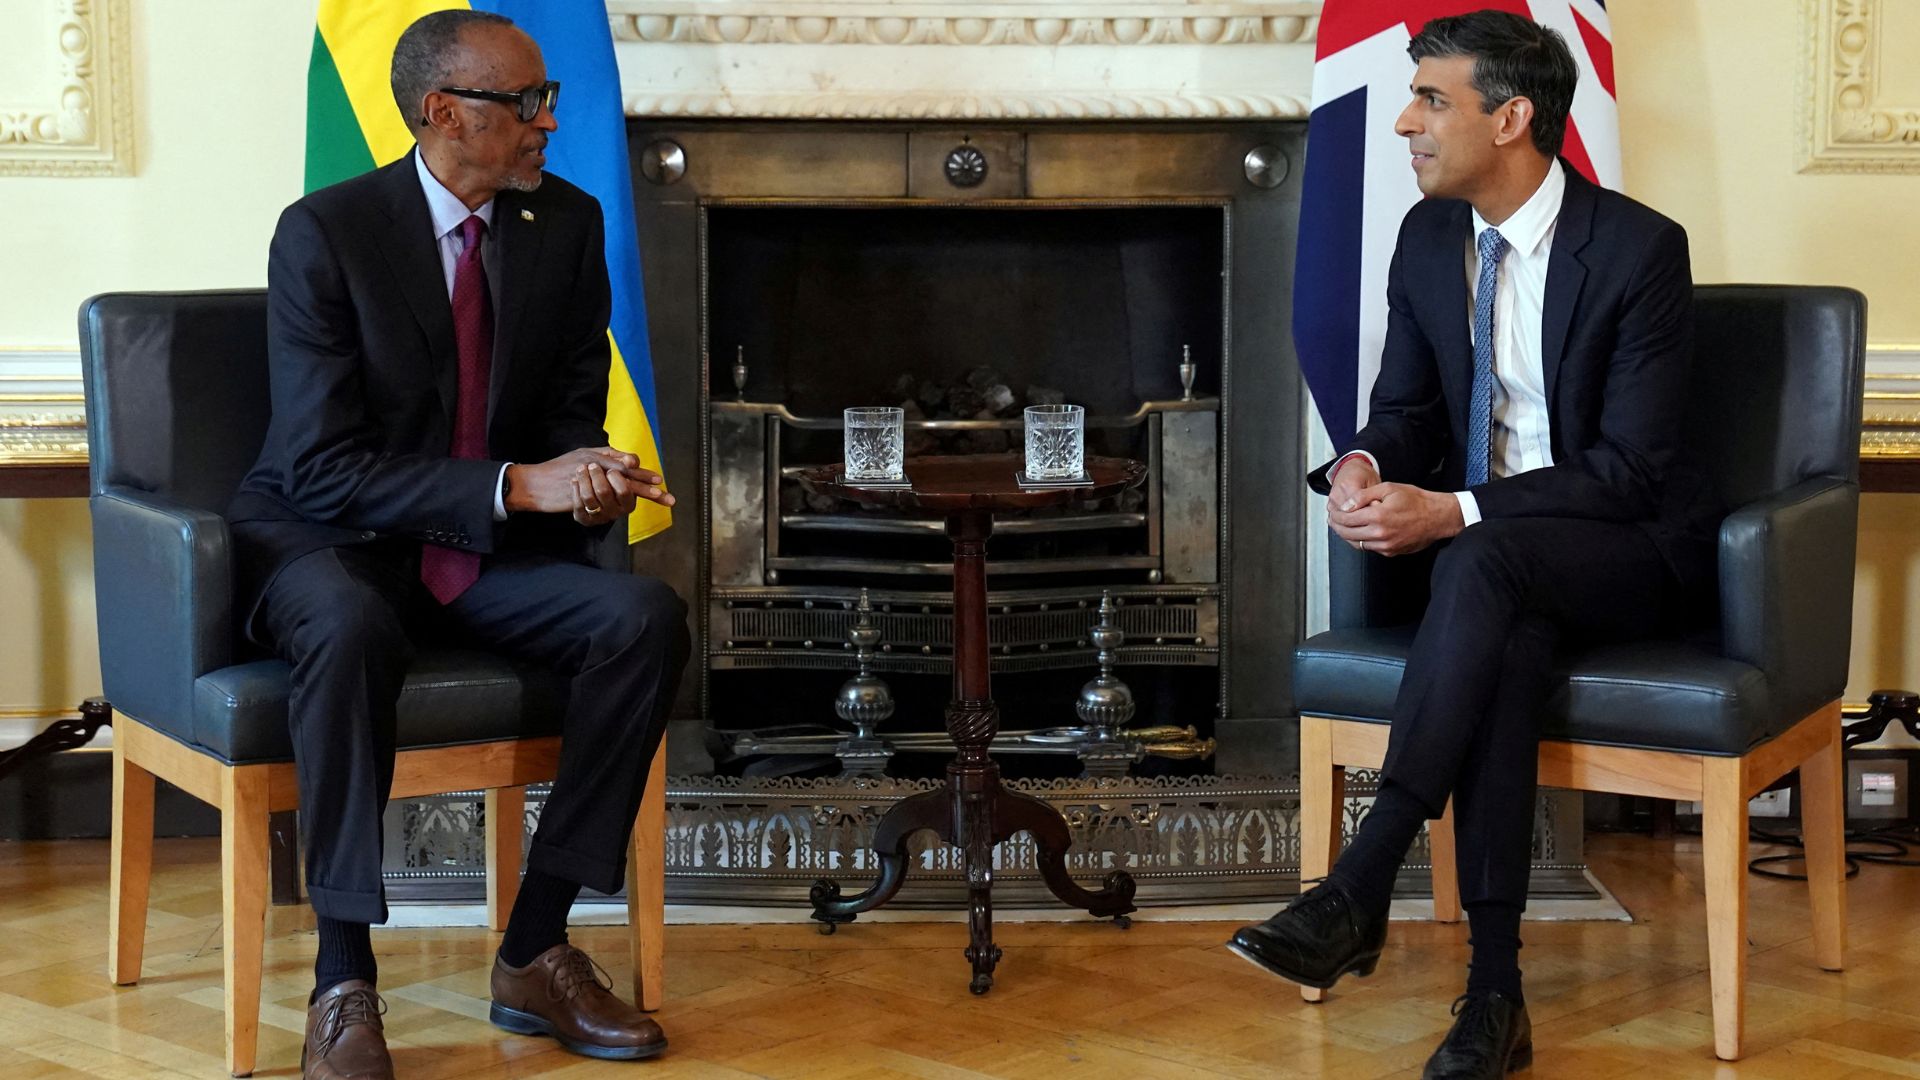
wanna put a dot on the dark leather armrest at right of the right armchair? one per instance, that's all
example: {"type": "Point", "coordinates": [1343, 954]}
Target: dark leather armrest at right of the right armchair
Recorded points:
{"type": "Point", "coordinates": [1787, 589]}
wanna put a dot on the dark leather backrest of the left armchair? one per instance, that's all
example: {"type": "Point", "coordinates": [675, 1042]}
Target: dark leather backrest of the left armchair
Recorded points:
{"type": "Point", "coordinates": [176, 391]}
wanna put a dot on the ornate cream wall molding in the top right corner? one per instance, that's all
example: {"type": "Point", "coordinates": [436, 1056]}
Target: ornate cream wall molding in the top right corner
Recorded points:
{"type": "Point", "coordinates": [1846, 126]}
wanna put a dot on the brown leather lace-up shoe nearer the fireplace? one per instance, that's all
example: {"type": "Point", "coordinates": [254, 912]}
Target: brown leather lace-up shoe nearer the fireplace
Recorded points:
{"type": "Point", "coordinates": [567, 996]}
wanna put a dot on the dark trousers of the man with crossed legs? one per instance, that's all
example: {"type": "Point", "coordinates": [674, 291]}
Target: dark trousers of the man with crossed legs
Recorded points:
{"type": "Point", "coordinates": [1506, 595]}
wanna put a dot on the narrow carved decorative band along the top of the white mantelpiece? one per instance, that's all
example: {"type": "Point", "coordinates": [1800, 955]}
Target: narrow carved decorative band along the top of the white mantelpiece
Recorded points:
{"type": "Point", "coordinates": [782, 22]}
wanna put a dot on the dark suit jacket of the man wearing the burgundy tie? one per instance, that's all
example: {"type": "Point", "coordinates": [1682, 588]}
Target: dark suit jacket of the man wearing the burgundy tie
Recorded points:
{"type": "Point", "coordinates": [364, 368]}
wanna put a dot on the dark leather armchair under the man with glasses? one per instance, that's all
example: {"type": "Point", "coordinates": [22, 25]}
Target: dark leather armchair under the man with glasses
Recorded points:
{"type": "Point", "coordinates": [176, 414]}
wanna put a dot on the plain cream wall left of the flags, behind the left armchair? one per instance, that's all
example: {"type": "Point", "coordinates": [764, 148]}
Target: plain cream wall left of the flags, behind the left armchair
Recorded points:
{"type": "Point", "coordinates": [220, 107]}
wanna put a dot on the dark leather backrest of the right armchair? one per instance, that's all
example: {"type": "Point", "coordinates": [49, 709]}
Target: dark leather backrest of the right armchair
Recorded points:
{"type": "Point", "coordinates": [1777, 387]}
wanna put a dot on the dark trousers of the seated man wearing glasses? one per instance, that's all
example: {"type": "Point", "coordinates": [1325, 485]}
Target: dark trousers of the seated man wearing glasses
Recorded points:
{"type": "Point", "coordinates": [348, 622]}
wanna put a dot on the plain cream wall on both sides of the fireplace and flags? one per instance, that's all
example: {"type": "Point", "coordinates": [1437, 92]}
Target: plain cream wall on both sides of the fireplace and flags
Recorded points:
{"type": "Point", "coordinates": [1710, 118]}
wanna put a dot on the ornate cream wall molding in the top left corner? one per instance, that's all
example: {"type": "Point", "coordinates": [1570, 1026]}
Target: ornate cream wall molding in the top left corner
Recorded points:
{"type": "Point", "coordinates": [82, 122]}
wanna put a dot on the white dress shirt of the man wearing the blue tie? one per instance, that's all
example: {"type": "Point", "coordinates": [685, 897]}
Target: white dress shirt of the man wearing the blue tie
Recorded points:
{"type": "Point", "coordinates": [1520, 439]}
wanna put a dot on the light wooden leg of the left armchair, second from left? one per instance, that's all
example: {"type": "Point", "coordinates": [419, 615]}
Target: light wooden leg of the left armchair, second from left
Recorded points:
{"type": "Point", "coordinates": [243, 906]}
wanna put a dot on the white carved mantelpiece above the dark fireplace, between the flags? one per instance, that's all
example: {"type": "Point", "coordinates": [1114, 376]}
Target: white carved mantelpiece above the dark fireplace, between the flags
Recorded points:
{"type": "Point", "coordinates": [928, 61]}
